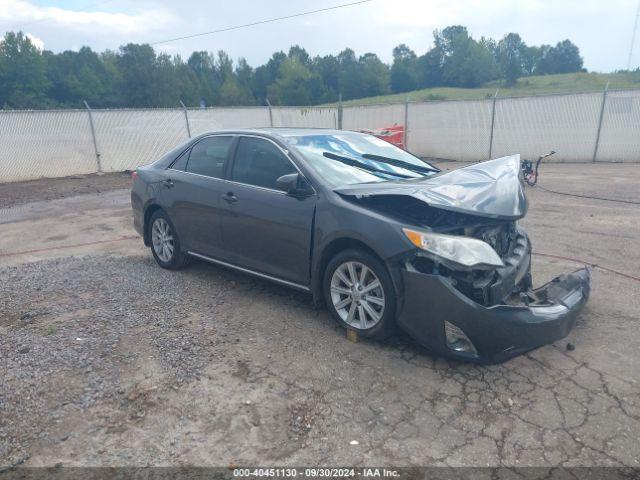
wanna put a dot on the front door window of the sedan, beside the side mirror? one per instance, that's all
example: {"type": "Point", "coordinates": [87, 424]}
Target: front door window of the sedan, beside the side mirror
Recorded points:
{"type": "Point", "coordinates": [259, 162]}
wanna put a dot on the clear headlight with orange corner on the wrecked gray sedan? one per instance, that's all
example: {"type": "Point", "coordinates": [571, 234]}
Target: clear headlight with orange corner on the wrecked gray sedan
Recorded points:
{"type": "Point", "coordinates": [464, 251]}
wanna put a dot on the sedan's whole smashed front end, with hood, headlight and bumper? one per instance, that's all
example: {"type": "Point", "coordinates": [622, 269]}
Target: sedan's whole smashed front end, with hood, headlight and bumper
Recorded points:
{"type": "Point", "coordinates": [467, 283]}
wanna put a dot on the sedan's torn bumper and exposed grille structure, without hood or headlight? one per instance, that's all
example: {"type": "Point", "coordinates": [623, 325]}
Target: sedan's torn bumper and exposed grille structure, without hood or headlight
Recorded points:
{"type": "Point", "coordinates": [488, 314]}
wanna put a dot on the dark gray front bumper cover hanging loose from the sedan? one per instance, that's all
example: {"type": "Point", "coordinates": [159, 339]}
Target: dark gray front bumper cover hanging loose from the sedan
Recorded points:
{"type": "Point", "coordinates": [498, 332]}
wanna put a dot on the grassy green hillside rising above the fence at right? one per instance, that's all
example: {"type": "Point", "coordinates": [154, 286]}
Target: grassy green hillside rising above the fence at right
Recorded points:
{"type": "Point", "coordinates": [537, 85]}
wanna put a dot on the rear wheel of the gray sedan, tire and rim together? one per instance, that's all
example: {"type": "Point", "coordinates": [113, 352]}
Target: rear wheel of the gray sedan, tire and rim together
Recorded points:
{"type": "Point", "coordinates": [165, 243]}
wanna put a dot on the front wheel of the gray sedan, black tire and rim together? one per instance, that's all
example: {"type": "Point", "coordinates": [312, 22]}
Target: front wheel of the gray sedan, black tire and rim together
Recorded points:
{"type": "Point", "coordinates": [359, 294]}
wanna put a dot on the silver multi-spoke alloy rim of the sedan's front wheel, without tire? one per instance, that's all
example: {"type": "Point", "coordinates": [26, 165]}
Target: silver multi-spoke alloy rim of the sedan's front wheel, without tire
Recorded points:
{"type": "Point", "coordinates": [357, 295]}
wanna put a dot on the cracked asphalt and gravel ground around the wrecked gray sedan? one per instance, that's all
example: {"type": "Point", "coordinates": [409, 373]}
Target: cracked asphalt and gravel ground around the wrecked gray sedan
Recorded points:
{"type": "Point", "coordinates": [109, 360]}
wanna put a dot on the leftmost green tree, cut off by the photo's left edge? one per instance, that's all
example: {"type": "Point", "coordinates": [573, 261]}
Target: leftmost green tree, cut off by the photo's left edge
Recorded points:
{"type": "Point", "coordinates": [23, 73]}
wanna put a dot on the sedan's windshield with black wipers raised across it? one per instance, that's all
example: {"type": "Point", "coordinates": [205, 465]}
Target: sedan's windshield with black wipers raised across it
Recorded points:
{"type": "Point", "coordinates": [346, 158]}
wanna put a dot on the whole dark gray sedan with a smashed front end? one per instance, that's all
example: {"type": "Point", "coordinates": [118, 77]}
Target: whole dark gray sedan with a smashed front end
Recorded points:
{"type": "Point", "coordinates": [375, 233]}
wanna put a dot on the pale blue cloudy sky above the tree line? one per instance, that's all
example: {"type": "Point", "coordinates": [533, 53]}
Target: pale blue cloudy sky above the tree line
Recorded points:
{"type": "Point", "coordinates": [601, 29]}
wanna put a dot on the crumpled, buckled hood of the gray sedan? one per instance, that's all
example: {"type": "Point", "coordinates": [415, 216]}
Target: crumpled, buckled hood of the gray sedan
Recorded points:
{"type": "Point", "coordinates": [489, 189]}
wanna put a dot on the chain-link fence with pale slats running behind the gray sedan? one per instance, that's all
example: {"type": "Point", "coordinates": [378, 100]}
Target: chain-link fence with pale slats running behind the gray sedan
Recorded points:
{"type": "Point", "coordinates": [589, 127]}
